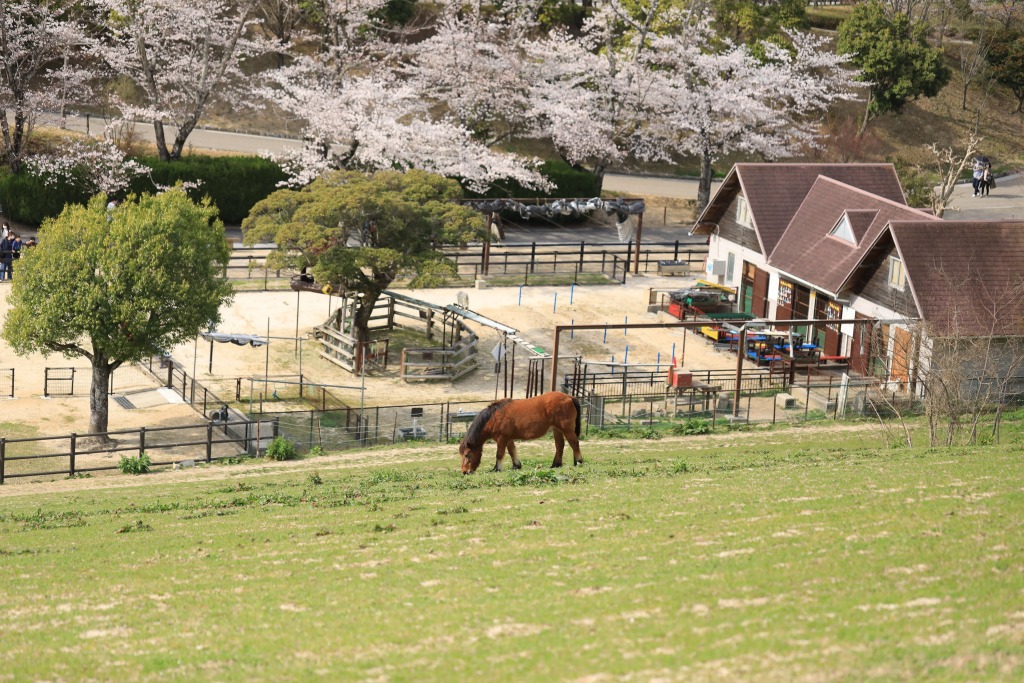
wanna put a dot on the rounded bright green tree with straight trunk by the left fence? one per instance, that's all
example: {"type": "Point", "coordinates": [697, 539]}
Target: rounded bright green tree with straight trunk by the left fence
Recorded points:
{"type": "Point", "coordinates": [118, 285]}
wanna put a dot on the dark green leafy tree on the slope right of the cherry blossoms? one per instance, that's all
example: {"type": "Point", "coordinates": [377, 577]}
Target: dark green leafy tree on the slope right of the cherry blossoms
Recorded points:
{"type": "Point", "coordinates": [893, 58]}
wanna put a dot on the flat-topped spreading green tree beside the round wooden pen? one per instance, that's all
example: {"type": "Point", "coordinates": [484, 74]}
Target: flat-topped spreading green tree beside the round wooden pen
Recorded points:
{"type": "Point", "coordinates": [360, 232]}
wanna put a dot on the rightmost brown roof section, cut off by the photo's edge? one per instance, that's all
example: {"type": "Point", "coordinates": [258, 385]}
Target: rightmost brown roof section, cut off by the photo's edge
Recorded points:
{"type": "Point", "coordinates": [966, 277]}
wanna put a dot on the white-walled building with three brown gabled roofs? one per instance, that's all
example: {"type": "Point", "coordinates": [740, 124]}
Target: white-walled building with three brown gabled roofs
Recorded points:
{"type": "Point", "coordinates": [834, 242]}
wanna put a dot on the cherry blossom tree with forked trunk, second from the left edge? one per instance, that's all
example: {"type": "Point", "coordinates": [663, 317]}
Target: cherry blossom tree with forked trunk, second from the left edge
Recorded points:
{"type": "Point", "coordinates": [183, 58]}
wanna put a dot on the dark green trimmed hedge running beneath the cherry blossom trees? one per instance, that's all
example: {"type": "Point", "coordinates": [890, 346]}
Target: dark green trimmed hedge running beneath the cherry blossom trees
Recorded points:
{"type": "Point", "coordinates": [234, 184]}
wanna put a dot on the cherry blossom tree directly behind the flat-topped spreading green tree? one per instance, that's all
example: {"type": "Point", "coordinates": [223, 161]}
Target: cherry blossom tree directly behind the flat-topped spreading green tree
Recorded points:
{"type": "Point", "coordinates": [361, 114]}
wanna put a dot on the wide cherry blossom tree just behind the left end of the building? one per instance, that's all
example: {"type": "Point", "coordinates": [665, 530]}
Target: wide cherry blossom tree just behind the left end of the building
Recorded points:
{"type": "Point", "coordinates": [658, 82]}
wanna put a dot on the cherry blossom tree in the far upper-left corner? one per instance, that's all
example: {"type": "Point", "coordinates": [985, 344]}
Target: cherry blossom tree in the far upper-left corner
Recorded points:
{"type": "Point", "coordinates": [35, 35]}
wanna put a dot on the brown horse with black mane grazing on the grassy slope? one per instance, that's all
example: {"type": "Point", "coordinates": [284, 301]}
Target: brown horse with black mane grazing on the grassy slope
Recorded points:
{"type": "Point", "coordinates": [513, 419]}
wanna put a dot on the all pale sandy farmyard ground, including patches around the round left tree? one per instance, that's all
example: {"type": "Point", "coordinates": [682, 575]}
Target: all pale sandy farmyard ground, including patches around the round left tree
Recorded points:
{"type": "Point", "coordinates": [534, 316]}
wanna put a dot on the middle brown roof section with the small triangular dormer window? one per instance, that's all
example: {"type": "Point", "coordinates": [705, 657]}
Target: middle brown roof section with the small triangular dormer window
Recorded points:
{"type": "Point", "coordinates": [808, 252]}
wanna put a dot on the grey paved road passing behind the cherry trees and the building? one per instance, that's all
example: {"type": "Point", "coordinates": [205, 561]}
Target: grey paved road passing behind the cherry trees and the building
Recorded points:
{"type": "Point", "coordinates": [1007, 202]}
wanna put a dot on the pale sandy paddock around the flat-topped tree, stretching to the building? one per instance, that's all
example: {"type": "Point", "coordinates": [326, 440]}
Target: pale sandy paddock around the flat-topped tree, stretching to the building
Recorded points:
{"type": "Point", "coordinates": [534, 317]}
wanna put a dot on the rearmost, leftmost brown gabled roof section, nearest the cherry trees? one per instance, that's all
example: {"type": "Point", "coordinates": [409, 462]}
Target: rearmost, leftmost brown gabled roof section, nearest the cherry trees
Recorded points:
{"type": "Point", "coordinates": [775, 192]}
